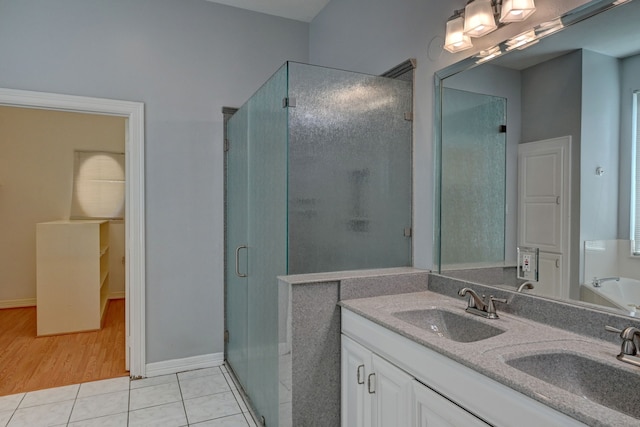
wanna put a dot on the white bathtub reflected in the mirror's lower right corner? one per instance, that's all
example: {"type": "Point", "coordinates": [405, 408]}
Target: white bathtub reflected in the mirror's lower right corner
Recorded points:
{"type": "Point", "coordinates": [623, 295]}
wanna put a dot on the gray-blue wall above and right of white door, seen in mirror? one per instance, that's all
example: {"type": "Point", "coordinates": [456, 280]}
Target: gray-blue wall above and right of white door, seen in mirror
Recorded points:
{"type": "Point", "coordinates": [578, 94]}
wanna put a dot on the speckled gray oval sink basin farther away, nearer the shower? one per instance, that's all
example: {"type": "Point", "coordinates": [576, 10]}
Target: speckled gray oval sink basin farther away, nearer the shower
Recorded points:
{"type": "Point", "coordinates": [456, 327]}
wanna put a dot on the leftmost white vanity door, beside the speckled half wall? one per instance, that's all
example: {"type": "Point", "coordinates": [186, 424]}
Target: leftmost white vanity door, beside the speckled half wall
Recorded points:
{"type": "Point", "coordinates": [356, 367]}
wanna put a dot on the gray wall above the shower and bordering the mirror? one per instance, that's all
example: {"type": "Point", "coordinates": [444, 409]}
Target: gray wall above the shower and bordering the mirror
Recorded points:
{"type": "Point", "coordinates": [373, 36]}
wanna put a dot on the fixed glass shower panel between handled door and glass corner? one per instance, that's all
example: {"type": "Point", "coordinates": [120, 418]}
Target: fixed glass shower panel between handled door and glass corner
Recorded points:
{"type": "Point", "coordinates": [267, 228]}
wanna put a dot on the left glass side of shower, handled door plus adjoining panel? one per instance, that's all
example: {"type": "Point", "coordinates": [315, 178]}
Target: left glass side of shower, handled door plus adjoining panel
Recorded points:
{"type": "Point", "coordinates": [256, 219]}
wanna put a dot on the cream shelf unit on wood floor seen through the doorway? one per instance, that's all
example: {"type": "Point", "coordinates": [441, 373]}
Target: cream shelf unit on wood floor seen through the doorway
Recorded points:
{"type": "Point", "coordinates": [72, 275]}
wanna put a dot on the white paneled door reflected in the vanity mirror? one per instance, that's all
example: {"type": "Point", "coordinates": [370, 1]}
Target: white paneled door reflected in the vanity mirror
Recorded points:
{"type": "Point", "coordinates": [544, 209]}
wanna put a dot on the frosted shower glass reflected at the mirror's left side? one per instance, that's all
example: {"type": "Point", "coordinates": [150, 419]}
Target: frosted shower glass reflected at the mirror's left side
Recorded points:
{"type": "Point", "coordinates": [473, 178]}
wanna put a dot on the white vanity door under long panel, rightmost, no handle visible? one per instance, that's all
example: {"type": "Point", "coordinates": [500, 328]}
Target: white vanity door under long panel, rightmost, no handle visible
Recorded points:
{"type": "Point", "coordinates": [432, 410]}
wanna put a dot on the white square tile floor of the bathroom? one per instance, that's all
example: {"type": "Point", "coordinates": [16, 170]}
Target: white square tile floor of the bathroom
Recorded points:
{"type": "Point", "coordinates": [202, 398]}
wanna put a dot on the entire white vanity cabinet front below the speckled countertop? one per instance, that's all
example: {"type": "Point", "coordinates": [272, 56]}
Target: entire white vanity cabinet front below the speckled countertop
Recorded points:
{"type": "Point", "coordinates": [416, 386]}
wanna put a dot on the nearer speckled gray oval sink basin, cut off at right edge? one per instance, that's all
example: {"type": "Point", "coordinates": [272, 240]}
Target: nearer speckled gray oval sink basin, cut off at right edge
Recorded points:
{"type": "Point", "coordinates": [590, 379]}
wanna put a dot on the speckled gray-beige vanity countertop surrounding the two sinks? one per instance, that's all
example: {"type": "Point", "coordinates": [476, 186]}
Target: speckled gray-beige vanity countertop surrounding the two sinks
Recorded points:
{"type": "Point", "coordinates": [521, 337]}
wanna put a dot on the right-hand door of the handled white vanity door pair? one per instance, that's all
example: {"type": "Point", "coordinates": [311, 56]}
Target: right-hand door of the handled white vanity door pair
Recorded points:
{"type": "Point", "coordinates": [393, 395]}
